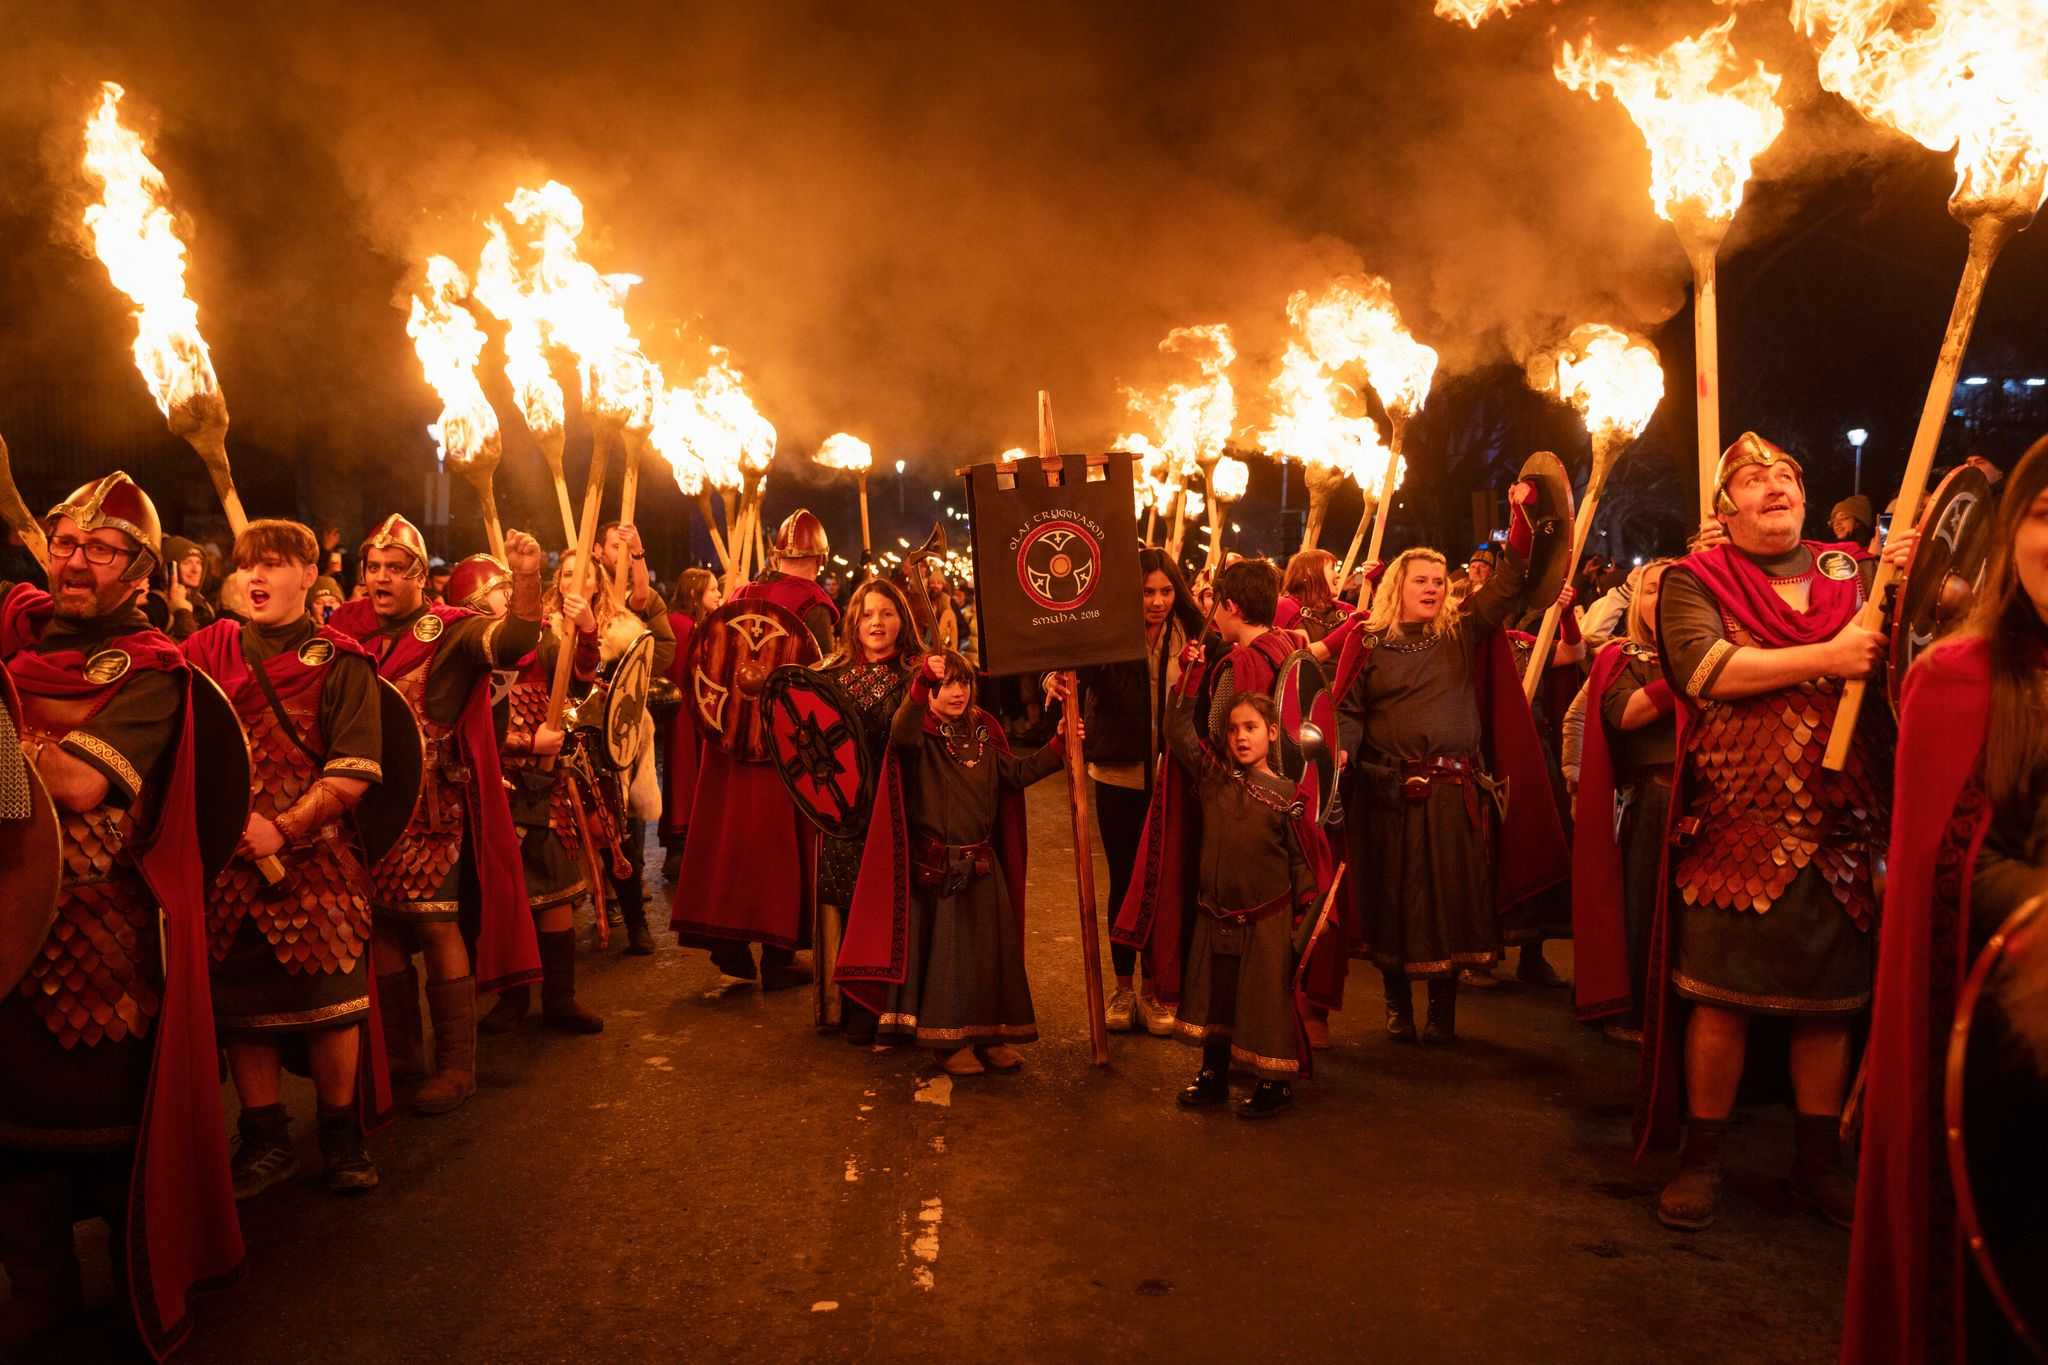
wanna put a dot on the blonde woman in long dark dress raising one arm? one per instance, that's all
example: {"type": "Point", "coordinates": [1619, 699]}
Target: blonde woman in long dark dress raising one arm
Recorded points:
{"type": "Point", "coordinates": [1433, 728]}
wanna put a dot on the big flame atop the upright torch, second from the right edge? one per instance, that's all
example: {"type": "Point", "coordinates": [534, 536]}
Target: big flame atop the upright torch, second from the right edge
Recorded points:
{"type": "Point", "coordinates": [1703, 140]}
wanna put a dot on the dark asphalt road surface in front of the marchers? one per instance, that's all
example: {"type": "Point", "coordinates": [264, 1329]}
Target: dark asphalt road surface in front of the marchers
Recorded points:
{"type": "Point", "coordinates": [714, 1182]}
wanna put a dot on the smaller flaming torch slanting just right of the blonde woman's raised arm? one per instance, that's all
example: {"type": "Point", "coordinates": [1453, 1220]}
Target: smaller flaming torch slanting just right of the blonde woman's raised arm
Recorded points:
{"type": "Point", "coordinates": [1617, 384]}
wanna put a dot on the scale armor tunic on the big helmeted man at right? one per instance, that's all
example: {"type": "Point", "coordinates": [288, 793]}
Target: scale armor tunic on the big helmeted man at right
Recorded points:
{"type": "Point", "coordinates": [1773, 861]}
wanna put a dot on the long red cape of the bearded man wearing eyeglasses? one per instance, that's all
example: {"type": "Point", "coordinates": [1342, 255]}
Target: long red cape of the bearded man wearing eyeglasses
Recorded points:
{"type": "Point", "coordinates": [183, 1229]}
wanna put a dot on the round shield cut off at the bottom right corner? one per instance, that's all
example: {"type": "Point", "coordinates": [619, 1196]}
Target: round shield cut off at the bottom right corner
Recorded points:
{"type": "Point", "coordinates": [1996, 1108]}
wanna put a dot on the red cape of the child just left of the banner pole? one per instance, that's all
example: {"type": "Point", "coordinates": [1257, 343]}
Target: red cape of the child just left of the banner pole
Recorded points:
{"type": "Point", "coordinates": [876, 951]}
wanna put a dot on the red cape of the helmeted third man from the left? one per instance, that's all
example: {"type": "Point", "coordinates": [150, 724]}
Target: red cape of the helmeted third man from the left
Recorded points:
{"type": "Point", "coordinates": [507, 955]}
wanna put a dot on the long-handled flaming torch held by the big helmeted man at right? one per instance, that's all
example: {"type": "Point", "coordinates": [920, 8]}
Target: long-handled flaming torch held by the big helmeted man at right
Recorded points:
{"type": "Point", "coordinates": [1953, 75]}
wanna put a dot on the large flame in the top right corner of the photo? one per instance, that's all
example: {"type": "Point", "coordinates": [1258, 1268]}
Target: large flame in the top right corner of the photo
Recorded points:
{"type": "Point", "coordinates": [1951, 75]}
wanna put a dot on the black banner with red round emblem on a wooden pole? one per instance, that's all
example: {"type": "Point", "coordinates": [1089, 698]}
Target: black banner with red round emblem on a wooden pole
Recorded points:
{"type": "Point", "coordinates": [1056, 564]}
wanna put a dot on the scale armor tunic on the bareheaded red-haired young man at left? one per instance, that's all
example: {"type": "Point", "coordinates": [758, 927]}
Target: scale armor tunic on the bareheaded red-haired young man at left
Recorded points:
{"type": "Point", "coordinates": [296, 957]}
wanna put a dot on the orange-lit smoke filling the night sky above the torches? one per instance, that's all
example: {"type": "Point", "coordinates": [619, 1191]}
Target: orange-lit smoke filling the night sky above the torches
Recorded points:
{"type": "Point", "coordinates": [902, 220]}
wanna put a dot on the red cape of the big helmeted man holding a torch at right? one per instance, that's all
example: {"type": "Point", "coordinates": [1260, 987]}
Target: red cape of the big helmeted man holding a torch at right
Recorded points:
{"type": "Point", "coordinates": [1746, 597]}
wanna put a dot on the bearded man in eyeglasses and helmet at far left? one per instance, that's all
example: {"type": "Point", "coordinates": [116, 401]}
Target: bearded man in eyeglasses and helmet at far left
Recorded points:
{"type": "Point", "coordinates": [108, 1053]}
